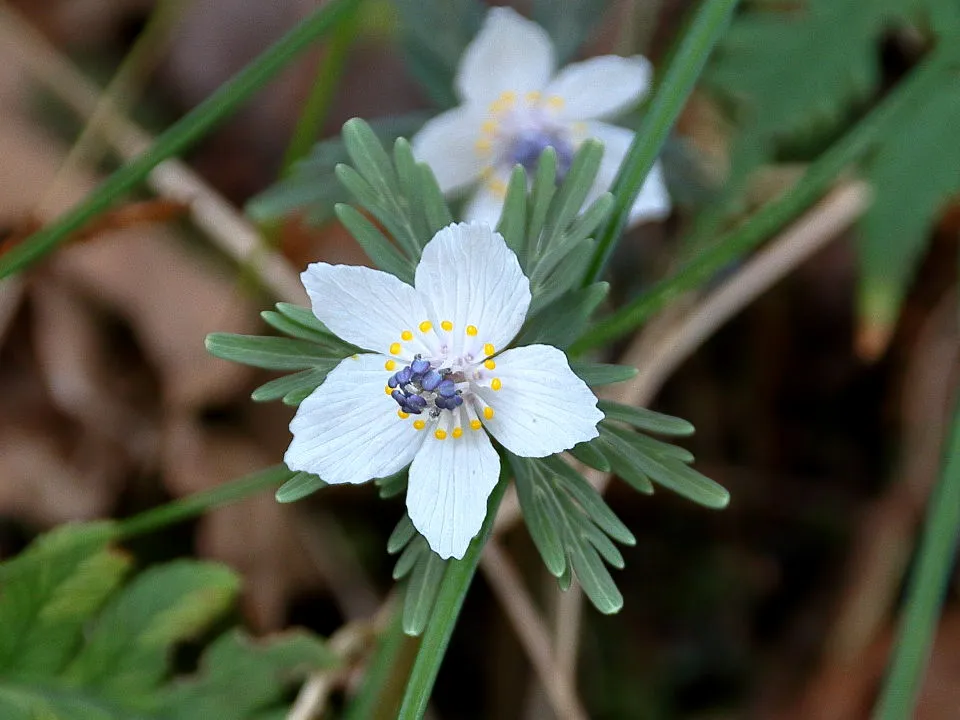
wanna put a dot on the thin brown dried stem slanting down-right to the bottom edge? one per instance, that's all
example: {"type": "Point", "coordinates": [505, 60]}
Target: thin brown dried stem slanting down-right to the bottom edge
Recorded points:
{"type": "Point", "coordinates": [531, 630]}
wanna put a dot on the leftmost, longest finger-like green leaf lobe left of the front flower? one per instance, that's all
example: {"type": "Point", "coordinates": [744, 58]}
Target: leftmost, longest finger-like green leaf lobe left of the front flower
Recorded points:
{"type": "Point", "coordinates": [270, 353]}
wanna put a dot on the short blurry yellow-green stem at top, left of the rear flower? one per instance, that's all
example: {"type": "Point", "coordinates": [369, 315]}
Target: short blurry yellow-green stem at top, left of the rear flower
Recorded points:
{"type": "Point", "coordinates": [317, 106]}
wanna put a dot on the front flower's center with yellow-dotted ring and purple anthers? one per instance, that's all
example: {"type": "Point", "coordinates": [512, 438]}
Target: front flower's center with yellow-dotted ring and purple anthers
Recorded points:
{"type": "Point", "coordinates": [441, 383]}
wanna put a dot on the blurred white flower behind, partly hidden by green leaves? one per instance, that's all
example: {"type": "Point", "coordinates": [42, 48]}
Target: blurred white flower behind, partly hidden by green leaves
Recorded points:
{"type": "Point", "coordinates": [514, 107]}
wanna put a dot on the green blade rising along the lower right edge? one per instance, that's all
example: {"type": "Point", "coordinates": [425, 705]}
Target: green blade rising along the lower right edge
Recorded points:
{"type": "Point", "coordinates": [928, 585]}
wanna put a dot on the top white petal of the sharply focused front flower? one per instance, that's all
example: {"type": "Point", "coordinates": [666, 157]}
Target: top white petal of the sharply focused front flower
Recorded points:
{"type": "Point", "coordinates": [471, 277]}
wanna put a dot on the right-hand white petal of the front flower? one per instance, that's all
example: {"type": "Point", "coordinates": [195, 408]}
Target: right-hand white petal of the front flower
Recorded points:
{"type": "Point", "coordinates": [542, 407]}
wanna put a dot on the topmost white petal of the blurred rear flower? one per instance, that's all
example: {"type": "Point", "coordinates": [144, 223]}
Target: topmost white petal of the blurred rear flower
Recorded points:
{"type": "Point", "coordinates": [509, 54]}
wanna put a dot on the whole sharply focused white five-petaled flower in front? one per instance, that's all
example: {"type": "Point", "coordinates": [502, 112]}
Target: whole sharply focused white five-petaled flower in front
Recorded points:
{"type": "Point", "coordinates": [436, 380]}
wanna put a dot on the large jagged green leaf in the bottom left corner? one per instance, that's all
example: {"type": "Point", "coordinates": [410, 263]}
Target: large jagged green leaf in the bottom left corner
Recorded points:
{"type": "Point", "coordinates": [77, 647]}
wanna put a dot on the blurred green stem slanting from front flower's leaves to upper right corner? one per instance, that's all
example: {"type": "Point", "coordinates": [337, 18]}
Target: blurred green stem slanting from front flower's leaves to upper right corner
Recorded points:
{"type": "Point", "coordinates": [816, 181]}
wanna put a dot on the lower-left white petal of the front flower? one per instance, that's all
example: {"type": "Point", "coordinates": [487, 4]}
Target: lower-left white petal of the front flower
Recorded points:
{"type": "Point", "coordinates": [348, 430]}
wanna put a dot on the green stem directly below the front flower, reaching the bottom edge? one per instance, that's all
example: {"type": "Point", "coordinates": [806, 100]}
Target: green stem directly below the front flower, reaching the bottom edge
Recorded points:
{"type": "Point", "coordinates": [453, 590]}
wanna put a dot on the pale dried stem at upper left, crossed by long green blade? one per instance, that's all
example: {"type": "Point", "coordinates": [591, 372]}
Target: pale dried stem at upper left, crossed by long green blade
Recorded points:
{"type": "Point", "coordinates": [172, 179]}
